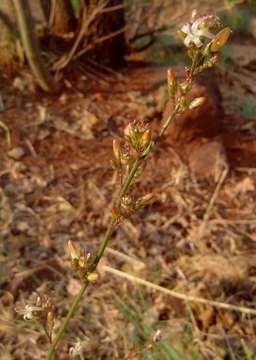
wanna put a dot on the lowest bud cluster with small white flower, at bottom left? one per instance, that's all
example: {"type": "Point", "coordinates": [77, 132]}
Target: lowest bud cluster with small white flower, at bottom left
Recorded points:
{"type": "Point", "coordinates": [41, 311]}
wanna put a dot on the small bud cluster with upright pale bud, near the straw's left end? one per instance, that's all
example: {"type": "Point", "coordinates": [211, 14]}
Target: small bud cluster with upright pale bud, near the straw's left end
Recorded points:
{"type": "Point", "coordinates": [80, 262]}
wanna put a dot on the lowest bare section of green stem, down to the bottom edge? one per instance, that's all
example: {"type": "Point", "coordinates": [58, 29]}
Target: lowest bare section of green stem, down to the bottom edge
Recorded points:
{"type": "Point", "coordinates": [65, 323]}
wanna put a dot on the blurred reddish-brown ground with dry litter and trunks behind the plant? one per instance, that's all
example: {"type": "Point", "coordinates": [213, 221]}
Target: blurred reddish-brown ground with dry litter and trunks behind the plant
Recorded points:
{"type": "Point", "coordinates": [73, 74]}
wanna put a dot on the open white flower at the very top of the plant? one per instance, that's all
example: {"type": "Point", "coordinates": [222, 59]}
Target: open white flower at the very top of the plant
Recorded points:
{"type": "Point", "coordinates": [195, 31]}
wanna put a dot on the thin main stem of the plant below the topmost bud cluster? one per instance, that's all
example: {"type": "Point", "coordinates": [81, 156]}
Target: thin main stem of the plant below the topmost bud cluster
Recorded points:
{"type": "Point", "coordinates": [109, 232]}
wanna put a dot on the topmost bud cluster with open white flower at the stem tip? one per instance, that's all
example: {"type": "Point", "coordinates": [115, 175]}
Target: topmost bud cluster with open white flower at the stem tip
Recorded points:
{"type": "Point", "coordinates": [204, 37]}
